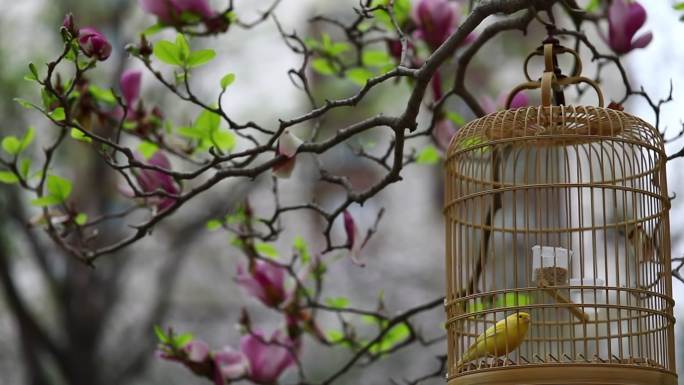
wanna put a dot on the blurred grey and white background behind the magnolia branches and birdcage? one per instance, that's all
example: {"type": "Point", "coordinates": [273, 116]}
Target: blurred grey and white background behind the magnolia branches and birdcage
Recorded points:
{"type": "Point", "coordinates": [64, 323]}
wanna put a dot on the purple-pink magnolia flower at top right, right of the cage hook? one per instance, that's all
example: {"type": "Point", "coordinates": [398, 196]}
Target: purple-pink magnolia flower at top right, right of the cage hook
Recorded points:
{"type": "Point", "coordinates": [625, 18]}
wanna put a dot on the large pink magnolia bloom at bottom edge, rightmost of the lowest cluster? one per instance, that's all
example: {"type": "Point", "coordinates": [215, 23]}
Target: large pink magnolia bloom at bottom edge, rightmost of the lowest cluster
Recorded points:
{"type": "Point", "coordinates": [268, 358]}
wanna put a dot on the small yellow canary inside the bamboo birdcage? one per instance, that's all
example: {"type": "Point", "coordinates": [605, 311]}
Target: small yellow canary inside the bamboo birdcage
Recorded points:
{"type": "Point", "coordinates": [500, 339]}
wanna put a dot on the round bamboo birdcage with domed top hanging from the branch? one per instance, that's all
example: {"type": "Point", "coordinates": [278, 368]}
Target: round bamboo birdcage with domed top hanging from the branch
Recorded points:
{"type": "Point", "coordinates": [560, 212]}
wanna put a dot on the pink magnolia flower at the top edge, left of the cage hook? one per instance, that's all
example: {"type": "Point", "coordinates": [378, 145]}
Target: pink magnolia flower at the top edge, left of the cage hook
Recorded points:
{"type": "Point", "coordinates": [435, 21]}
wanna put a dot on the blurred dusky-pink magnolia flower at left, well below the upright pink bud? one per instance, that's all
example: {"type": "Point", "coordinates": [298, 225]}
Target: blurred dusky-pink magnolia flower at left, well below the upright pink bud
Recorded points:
{"type": "Point", "coordinates": [152, 180]}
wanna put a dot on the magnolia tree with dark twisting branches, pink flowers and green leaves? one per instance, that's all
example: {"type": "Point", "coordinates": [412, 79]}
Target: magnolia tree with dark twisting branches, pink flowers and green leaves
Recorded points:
{"type": "Point", "coordinates": [426, 45]}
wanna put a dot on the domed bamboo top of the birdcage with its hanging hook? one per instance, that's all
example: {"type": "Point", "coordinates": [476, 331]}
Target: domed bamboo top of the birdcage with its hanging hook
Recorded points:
{"type": "Point", "coordinates": [550, 124]}
